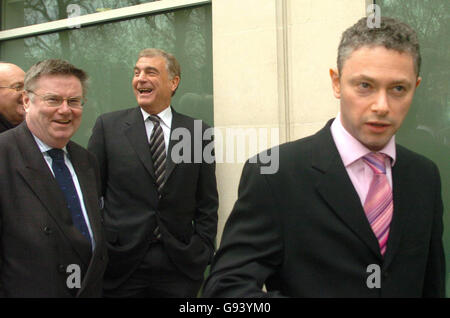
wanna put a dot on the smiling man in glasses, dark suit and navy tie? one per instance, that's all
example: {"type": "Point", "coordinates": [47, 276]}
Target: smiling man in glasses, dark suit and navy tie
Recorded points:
{"type": "Point", "coordinates": [52, 241]}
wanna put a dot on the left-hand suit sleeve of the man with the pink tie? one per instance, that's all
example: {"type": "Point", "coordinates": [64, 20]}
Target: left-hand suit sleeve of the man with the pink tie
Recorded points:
{"type": "Point", "coordinates": [251, 248]}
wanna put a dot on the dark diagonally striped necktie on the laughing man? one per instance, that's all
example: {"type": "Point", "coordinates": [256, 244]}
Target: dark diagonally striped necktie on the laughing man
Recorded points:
{"type": "Point", "coordinates": [158, 151]}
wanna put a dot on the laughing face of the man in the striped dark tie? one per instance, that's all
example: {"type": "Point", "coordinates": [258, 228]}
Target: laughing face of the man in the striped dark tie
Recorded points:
{"type": "Point", "coordinates": [152, 84]}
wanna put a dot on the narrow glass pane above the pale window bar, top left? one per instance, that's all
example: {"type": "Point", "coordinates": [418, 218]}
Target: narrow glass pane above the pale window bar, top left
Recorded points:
{"type": "Point", "coordinates": [19, 13]}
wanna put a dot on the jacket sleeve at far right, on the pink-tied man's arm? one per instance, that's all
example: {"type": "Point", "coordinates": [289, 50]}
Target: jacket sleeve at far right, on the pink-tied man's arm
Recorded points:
{"type": "Point", "coordinates": [434, 285]}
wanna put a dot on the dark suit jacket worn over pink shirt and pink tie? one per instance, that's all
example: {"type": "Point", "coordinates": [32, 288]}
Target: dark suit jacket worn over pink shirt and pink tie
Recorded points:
{"type": "Point", "coordinates": [303, 231]}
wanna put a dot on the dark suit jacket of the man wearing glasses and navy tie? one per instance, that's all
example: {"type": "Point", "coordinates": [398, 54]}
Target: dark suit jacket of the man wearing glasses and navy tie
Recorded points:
{"type": "Point", "coordinates": [38, 238]}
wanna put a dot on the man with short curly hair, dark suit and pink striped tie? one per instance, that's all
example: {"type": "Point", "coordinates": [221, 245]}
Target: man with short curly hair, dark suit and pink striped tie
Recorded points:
{"type": "Point", "coordinates": [349, 213]}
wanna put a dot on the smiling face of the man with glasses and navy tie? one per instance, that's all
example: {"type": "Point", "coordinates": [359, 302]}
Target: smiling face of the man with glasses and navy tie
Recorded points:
{"type": "Point", "coordinates": [53, 125]}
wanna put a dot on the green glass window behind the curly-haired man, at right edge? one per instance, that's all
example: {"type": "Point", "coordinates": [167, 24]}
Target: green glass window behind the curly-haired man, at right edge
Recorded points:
{"type": "Point", "coordinates": [427, 127]}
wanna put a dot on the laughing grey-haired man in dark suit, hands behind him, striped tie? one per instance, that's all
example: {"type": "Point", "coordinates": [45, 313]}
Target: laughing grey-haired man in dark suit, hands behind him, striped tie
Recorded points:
{"type": "Point", "coordinates": [160, 211]}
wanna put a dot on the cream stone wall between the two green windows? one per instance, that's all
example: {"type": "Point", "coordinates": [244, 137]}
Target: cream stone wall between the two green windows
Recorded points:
{"type": "Point", "coordinates": [271, 60]}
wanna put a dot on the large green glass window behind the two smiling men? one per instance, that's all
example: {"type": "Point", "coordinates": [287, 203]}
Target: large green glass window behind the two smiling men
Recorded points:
{"type": "Point", "coordinates": [108, 53]}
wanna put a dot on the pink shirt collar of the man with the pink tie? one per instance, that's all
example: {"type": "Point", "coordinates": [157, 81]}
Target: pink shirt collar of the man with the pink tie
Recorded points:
{"type": "Point", "coordinates": [350, 149]}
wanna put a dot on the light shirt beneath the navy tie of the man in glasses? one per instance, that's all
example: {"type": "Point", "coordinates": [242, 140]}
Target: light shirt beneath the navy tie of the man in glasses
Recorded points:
{"type": "Point", "coordinates": [44, 148]}
